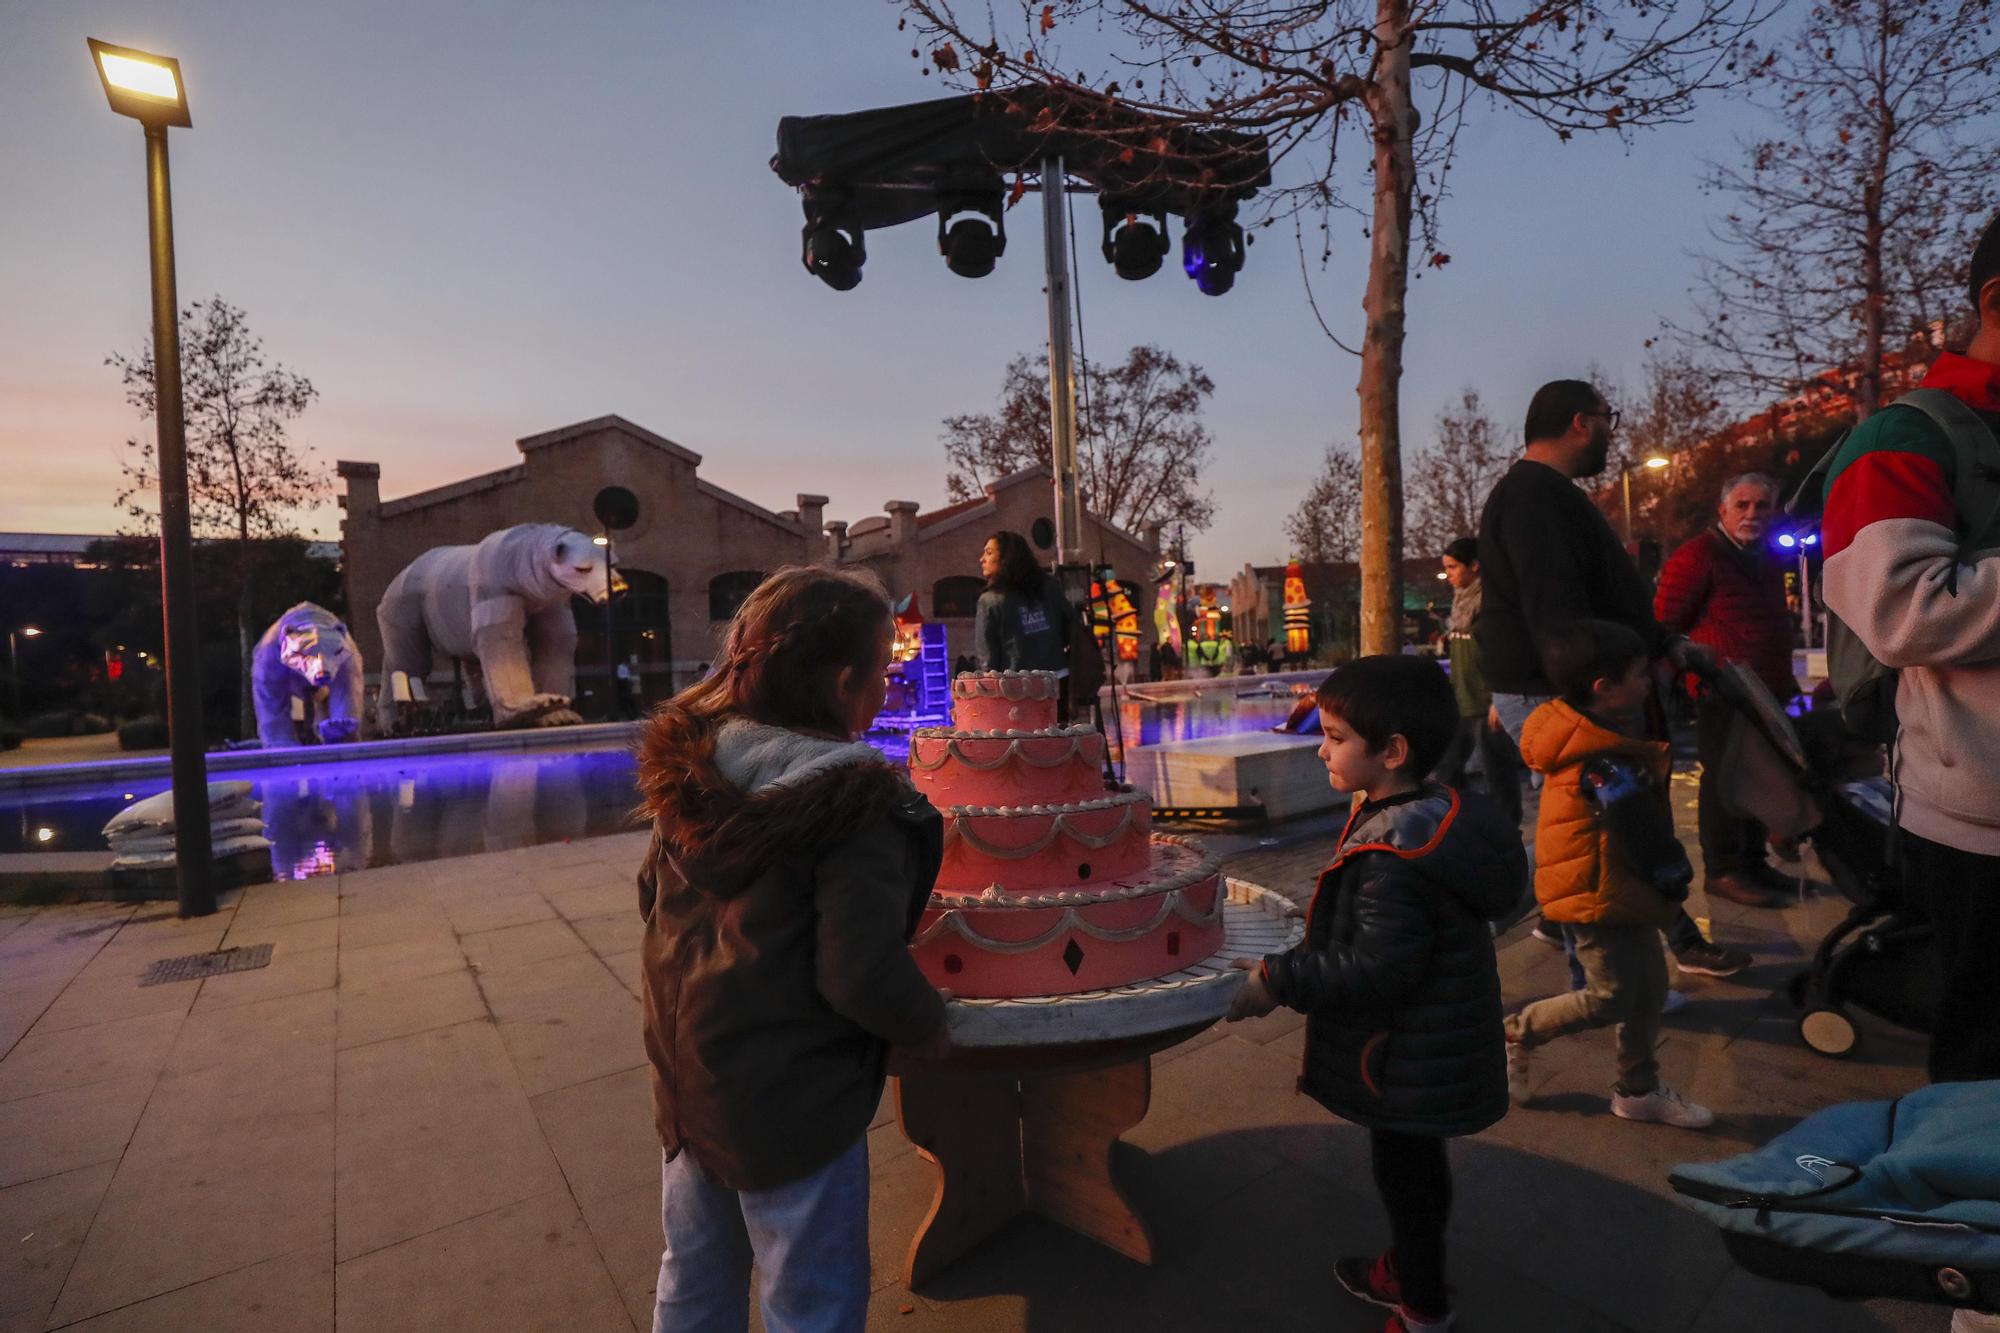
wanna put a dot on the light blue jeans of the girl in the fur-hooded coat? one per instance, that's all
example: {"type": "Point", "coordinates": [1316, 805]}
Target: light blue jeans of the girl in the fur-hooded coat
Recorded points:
{"type": "Point", "coordinates": [809, 1240]}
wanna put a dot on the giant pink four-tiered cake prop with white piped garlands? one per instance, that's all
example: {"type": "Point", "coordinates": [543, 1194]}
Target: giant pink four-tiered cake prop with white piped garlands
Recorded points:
{"type": "Point", "coordinates": [1051, 884]}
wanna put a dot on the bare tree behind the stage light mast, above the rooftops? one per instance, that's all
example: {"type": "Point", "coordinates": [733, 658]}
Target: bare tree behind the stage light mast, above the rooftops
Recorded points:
{"type": "Point", "coordinates": [1139, 427]}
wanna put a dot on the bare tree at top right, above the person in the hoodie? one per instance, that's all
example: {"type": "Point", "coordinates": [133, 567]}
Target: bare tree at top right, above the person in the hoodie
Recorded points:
{"type": "Point", "coordinates": [1849, 225]}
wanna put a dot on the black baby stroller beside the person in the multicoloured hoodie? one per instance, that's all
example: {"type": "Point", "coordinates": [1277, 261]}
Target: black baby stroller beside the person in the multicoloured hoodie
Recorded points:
{"type": "Point", "coordinates": [1809, 780]}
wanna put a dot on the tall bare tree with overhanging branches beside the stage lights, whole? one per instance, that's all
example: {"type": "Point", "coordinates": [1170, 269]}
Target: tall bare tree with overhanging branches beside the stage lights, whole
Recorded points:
{"type": "Point", "coordinates": [1305, 71]}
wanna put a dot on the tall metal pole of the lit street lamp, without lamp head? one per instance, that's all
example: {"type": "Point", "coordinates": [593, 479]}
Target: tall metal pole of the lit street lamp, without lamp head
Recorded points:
{"type": "Point", "coordinates": [193, 854]}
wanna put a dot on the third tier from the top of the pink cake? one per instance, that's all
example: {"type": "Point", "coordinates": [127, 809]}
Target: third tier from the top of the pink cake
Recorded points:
{"type": "Point", "coordinates": [1039, 848]}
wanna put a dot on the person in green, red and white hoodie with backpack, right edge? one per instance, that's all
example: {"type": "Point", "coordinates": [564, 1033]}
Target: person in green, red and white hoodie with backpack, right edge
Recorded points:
{"type": "Point", "coordinates": [1919, 583]}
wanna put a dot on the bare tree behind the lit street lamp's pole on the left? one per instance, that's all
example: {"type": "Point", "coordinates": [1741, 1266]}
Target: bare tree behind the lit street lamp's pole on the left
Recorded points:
{"type": "Point", "coordinates": [245, 477]}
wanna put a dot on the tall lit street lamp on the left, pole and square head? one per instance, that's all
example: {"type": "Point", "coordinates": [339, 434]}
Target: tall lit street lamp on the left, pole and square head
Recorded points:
{"type": "Point", "coordinates": [149, 89]}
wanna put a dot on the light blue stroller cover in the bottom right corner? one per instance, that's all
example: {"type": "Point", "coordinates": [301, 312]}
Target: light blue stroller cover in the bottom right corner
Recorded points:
{"type": "Point", "coordinates": [1909, 1184]}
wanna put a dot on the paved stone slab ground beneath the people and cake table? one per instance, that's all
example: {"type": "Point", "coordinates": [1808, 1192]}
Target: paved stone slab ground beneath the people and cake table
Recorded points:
{"type": "Point", "coordinates": [431, 1112]}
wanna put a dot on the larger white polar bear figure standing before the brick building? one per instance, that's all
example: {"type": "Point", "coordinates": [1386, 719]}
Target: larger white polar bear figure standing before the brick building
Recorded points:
{"type": "Point", "coordinates": [501, 609]}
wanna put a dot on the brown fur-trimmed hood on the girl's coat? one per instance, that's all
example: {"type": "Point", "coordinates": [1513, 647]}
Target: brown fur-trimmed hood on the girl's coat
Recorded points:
{"type": "Point", "coordinates": [757, 796]}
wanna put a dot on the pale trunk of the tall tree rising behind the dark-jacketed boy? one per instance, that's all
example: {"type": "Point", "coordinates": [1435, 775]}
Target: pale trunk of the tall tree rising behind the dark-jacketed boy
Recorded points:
{"type": "Point", "coordinates": [1389, 279]}
